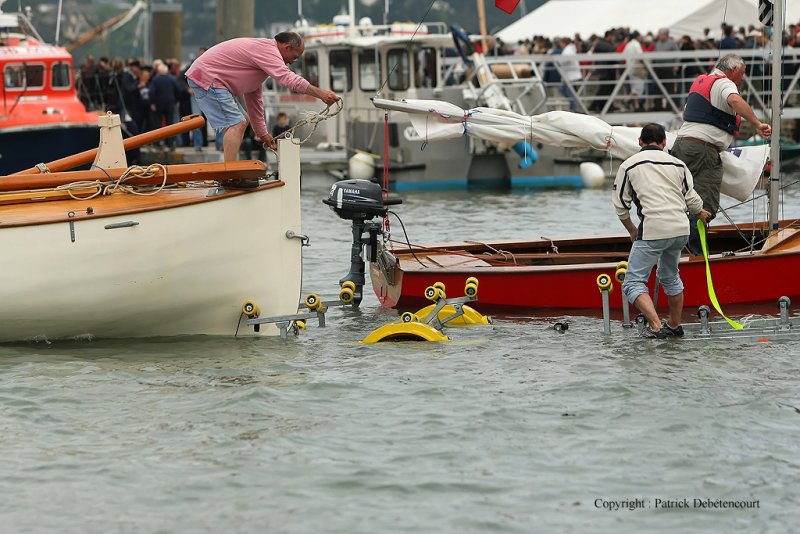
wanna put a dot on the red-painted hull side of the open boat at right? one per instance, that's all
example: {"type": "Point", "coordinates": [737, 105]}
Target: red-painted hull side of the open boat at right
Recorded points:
{"type": "Point", "coordinates": [738, 280]}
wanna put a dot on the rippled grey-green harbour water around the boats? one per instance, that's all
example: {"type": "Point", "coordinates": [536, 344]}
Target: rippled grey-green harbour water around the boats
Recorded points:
{"type": "Point", "coordinates": [511, 427]}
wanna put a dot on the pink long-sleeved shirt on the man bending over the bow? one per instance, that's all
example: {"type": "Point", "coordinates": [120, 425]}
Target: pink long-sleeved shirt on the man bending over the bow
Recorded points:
{"type": "Point", "coordinates": [241, 66]}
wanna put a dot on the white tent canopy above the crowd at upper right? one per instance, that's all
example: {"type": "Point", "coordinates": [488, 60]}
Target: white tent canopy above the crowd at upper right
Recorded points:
{"type": "Point", "coordinates": [559, 18]}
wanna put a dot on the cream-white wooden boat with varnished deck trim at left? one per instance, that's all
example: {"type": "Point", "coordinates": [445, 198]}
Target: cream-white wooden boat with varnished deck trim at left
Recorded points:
{"type": "Point", "coordinates": [181, 261]}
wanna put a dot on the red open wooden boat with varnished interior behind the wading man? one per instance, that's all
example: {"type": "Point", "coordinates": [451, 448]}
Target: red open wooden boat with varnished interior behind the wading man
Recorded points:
{"type": "Point", "coordinates": [562, 274]}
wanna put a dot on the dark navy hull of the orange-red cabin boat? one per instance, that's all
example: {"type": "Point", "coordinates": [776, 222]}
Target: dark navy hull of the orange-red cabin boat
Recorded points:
{"type": "Point", "coordinates": [22, 148]}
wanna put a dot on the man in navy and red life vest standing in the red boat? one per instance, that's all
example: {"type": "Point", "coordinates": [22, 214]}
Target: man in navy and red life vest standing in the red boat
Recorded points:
{"type": "Point", "coordinates": [711, 120]}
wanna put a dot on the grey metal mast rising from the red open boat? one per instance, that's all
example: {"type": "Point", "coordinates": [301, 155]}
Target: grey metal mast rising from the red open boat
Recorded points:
{"type": "Point", "coordinates": [775, 140]}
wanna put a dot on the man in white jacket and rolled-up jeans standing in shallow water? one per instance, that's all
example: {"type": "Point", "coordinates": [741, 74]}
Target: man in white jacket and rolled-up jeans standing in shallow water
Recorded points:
{"type": "Point", "coordinates": [661, 188]}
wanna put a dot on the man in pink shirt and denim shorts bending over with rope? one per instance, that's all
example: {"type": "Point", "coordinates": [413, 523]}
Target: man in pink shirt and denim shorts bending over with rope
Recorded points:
{"type": "Point", "coordinates": [240, 67]}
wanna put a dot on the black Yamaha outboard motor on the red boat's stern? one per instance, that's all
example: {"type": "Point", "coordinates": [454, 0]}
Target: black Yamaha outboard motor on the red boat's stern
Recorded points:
{"type": "Point", "coordinates": [360, 201]}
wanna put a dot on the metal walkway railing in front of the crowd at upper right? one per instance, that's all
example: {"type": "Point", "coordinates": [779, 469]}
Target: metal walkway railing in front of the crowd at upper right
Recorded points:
{"type": "Point", "coordinates": [623, 89]}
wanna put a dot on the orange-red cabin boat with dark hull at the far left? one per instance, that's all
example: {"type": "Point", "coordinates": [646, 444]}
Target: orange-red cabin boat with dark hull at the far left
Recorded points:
{"type": "Point", "coordinates": [41, 118]}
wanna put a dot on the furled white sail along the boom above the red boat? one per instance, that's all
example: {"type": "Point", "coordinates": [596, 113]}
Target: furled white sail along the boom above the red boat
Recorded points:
{"type": "Point", "coordinates": [435, 120]}
